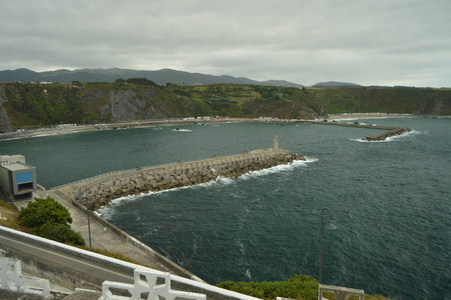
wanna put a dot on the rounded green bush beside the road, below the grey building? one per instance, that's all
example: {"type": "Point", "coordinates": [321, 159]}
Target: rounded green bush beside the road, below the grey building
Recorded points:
{"type": "Point", "coordinates": [49, 219]}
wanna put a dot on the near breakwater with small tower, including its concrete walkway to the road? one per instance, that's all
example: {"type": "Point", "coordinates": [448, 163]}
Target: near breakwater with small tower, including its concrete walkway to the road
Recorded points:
{"type": "Point", "coordinates": [100, 190]}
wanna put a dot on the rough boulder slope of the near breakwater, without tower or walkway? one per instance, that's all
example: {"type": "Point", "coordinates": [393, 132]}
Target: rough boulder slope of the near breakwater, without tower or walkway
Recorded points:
{"type": "Point", "coordinates": [102, 191]}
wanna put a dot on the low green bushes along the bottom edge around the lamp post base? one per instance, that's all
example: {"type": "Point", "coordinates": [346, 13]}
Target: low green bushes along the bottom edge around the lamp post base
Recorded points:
{"type": "Point", "coordinates": [299, 287]}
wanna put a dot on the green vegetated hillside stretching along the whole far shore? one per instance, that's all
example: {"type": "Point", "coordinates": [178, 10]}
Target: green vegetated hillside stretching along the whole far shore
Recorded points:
{"type": "Point", "coordinates": [38, 105]}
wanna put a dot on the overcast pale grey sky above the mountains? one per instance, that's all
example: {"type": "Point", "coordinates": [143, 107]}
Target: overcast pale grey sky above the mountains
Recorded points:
{"type": "Point", "coordinates": [368, 42]}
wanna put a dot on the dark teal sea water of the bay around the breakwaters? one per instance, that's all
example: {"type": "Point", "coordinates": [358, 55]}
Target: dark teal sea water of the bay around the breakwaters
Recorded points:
{"type": "Point", "coordinates": [390, 201]}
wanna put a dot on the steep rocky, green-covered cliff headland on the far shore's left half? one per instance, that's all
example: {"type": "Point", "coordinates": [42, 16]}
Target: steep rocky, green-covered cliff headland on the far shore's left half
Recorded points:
{"type": "Point", "coordinates": [27, 105]}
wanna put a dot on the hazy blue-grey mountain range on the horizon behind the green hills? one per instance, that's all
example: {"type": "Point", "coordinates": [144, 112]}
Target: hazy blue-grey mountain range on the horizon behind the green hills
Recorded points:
{"type": "Point", "coordinates": [161, 77]}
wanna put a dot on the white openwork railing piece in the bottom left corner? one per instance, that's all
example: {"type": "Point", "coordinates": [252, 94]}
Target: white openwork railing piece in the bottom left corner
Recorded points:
{"type": "Point", "coordinates": [13, 280]}
